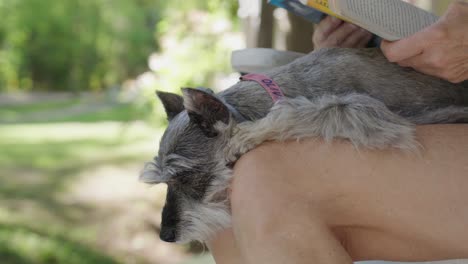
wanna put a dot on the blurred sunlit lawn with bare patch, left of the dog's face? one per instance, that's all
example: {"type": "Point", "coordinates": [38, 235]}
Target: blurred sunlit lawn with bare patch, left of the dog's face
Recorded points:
{"type": "Point", "coordinates": [69, 191]}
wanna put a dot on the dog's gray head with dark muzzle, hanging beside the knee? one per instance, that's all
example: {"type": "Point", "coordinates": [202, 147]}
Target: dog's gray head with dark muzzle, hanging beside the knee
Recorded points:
{"type": "Point", "coordinates": [191, 162]}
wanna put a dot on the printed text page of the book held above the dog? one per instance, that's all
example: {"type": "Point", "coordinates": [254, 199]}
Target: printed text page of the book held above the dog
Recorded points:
{"type": "Point", "coordinates": [390, 19]}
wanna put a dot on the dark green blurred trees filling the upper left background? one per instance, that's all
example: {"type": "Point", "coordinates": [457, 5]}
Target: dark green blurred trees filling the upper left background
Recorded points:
{"type": "Point", "coordinates": [75, 44]}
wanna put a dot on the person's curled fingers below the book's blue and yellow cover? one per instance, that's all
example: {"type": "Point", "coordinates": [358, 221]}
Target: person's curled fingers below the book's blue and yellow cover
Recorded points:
{"type": "Point", "coordinates": [333, 32]}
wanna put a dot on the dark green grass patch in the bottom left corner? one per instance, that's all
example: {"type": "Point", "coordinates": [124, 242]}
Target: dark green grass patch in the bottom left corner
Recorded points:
{"type": "Point", "coordinates": [22, 244]}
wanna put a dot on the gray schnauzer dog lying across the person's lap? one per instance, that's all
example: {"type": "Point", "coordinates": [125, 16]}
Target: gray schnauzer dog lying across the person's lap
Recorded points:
{"type": "Point", "coordinates": [355, 94]}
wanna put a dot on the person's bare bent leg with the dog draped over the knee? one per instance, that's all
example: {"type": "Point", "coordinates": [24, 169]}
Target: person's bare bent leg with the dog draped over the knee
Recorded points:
{"type": "Point", "coordinates": [279, 211]}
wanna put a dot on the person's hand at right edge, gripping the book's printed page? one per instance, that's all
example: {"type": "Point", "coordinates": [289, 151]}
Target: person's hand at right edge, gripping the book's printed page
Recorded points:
{"type": "Point", "coordinates": [440, 50]}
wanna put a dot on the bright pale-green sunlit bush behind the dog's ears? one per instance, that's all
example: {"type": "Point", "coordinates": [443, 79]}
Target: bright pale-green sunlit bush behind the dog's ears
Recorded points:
{"type": "Point", "coordinates": [194, 44]}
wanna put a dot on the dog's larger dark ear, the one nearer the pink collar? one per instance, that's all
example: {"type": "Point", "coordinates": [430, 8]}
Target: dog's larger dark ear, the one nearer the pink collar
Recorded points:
{"type": "Point", "coordinates": [205, 110]}
